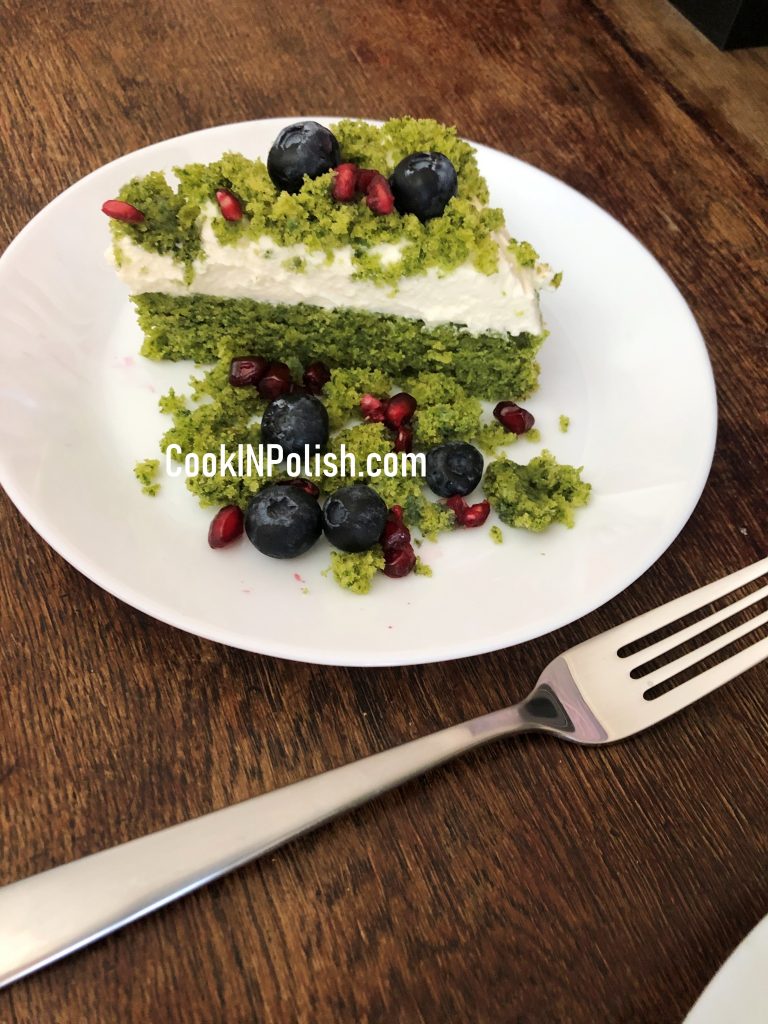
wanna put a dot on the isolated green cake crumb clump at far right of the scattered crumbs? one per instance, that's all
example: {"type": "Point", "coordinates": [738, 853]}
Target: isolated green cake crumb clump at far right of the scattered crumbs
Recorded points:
{"type": "Point", "coordinates": [537, 495]}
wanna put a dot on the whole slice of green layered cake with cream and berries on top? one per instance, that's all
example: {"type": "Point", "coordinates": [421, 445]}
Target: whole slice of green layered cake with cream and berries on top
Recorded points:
{"type": "Point", "coordinates": [359, 245]}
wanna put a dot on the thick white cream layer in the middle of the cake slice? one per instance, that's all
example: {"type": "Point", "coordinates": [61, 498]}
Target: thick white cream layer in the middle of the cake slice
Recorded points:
{"type": "Point", "coordinates": [507, 301]}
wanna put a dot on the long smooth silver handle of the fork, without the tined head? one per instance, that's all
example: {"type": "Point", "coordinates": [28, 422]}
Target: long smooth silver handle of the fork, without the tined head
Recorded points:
{"type": "Point", "coordinates": [52, 915]}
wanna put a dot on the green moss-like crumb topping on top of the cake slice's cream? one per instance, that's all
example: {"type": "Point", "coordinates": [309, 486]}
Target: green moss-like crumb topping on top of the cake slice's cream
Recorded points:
{"type": "Point", "coordinates": [467, 231]}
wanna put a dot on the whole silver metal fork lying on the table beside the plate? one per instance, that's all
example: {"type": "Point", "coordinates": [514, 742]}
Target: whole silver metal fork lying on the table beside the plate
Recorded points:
{"type": "Point", "coordinates": [586, 696]}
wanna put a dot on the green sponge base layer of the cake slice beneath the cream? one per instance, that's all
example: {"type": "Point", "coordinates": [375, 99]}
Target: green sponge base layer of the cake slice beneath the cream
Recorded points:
{"type": "Point", "coordinates": [199, 327]}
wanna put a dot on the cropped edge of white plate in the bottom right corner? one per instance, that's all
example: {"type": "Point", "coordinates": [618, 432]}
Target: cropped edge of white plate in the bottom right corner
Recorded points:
{"type": "Point", "coordinates": [739, 993]}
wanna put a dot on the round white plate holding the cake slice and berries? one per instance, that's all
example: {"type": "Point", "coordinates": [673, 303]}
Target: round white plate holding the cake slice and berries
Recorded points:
{"type": "Point", "coordinates": [78, 408]}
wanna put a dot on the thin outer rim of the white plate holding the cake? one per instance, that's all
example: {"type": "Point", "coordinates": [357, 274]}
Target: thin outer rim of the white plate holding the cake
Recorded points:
{"type": "Point", "coordinates": [308, 655]}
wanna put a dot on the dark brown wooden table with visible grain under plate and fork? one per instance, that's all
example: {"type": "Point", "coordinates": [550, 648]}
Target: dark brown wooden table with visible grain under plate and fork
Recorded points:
{"type": "Point", "coordinates": [531, 882]}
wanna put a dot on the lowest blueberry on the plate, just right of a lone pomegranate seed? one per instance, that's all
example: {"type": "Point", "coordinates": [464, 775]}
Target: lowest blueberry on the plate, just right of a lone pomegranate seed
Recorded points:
{"type": "Point", "coordinates": [283, 522]}
